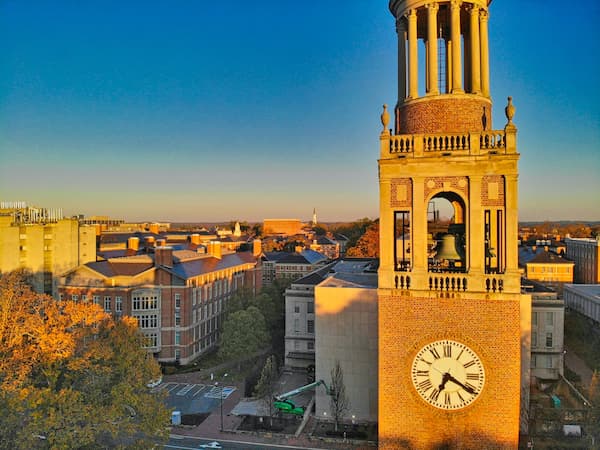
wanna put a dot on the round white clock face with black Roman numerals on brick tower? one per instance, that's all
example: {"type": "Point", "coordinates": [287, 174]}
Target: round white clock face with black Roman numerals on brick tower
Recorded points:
{"type": "Point", "coordinates": [448, 374]}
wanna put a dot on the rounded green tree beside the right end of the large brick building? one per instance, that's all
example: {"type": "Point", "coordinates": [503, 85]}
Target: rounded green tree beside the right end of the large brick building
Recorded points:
{"type": "Point", "coordinates": [244, 333]}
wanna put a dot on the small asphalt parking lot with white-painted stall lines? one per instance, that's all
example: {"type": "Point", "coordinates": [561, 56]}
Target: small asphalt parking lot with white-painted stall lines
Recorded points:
{"type": "Point", "coordinates": [194, 398]}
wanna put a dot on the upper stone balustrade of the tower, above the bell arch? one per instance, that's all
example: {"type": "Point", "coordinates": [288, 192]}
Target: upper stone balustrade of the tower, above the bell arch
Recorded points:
{"type": "Point", "coordinates": [457, 144]}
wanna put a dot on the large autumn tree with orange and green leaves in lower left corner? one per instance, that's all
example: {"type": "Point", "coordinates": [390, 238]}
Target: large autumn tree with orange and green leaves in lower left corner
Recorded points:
{"type": "Point", "coordinates": [71, 376]}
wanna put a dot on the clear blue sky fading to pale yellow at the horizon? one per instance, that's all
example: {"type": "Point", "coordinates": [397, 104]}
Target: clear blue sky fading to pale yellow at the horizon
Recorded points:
{"type": "Point", "coordinates": [219, 110]}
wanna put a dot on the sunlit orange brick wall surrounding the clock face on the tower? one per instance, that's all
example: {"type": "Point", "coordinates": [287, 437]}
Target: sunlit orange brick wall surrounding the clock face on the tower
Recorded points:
{"type": "Point", "coordinates": [491, 328]}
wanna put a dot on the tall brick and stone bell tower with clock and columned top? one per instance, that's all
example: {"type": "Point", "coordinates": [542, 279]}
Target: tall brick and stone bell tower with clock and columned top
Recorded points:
{"type": "Point", "coordinates": [452, 319]}
